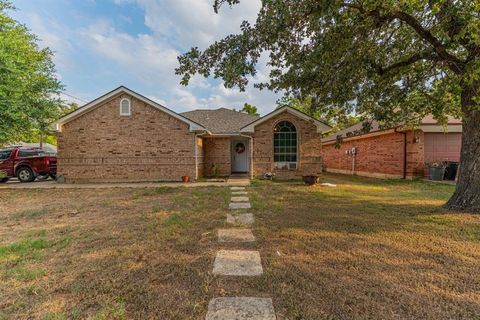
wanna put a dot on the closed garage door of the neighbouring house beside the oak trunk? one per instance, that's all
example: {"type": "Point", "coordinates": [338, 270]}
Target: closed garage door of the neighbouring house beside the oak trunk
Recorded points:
{"type": "Point", "coordinates": [440, 146]}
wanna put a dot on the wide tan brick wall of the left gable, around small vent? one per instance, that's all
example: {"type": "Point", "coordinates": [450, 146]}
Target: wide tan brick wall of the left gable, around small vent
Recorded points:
{"type": "Point", "coordinates": [149, 145]}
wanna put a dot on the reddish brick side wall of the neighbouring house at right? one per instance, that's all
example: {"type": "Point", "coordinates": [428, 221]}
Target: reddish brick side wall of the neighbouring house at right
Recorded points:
{"type": "Point", "coordinates": [379, 156]}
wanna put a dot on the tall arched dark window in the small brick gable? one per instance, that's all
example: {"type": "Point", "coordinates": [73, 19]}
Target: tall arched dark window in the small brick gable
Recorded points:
{"type": "Point", "coordinates": [285, 145]}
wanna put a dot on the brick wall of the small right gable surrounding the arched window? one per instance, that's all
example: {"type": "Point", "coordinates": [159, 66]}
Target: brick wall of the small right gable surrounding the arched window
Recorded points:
{"type": "Point", "coordinates": [309, 148]}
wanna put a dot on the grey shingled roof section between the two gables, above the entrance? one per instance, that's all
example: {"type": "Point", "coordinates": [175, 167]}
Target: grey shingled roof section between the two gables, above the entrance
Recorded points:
{"type": "Point", "coordinates": [220, 121]}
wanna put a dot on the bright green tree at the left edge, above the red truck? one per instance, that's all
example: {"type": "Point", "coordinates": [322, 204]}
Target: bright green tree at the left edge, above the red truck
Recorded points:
{"type": "Point", "coordinates": [28, 85]}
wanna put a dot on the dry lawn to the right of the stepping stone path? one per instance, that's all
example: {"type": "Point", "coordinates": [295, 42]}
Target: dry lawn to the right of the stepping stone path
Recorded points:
{"type": "Point", "coordinates": [367, 249]}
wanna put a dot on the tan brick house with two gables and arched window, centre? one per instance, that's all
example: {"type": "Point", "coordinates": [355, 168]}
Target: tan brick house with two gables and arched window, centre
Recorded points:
{"type": "Point", "coordinates": [124, 136]}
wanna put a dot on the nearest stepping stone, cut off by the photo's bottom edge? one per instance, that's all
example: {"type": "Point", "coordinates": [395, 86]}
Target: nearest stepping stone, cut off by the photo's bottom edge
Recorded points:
{"type": "Point", "coordinates": [240, 308]}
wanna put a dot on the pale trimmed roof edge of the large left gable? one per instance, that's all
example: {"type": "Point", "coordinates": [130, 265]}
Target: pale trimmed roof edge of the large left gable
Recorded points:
{"type": "Point", "coordinates": [97, 102]}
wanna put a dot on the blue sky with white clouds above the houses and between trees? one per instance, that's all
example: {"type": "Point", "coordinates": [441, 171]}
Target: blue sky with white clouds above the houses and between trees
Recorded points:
{"type": "Point", "coordinates": [102, 44]}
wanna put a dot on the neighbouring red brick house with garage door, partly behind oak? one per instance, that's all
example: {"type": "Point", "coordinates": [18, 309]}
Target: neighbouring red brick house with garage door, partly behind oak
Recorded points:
{"type": "Point", "coordinates": [392, 153]}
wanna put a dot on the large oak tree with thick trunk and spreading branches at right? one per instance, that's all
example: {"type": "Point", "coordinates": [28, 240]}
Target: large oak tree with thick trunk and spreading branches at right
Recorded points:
{"type": "Point", "coordinates": [393, 60]}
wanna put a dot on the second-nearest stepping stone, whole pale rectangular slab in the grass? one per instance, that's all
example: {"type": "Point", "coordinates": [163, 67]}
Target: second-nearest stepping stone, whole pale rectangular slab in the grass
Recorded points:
{"type": "Point", "coordinates": [237, 263]}
